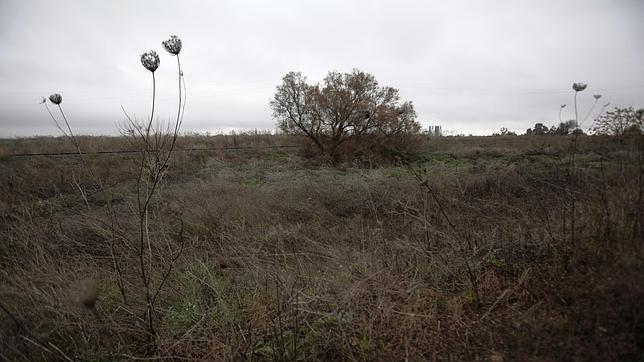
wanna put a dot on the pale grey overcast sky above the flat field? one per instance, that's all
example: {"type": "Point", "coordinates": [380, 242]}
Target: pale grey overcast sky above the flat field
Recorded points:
{"type": "Point", "coordinates": [470, 66]}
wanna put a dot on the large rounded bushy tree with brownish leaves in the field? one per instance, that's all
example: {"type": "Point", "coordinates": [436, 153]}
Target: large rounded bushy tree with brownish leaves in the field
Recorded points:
{"type": "Point", "coordinates": [349, 106]}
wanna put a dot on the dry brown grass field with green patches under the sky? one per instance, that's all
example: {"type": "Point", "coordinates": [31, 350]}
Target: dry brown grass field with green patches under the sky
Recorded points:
{"type": "Point", "coordinates": [491, 248]}
